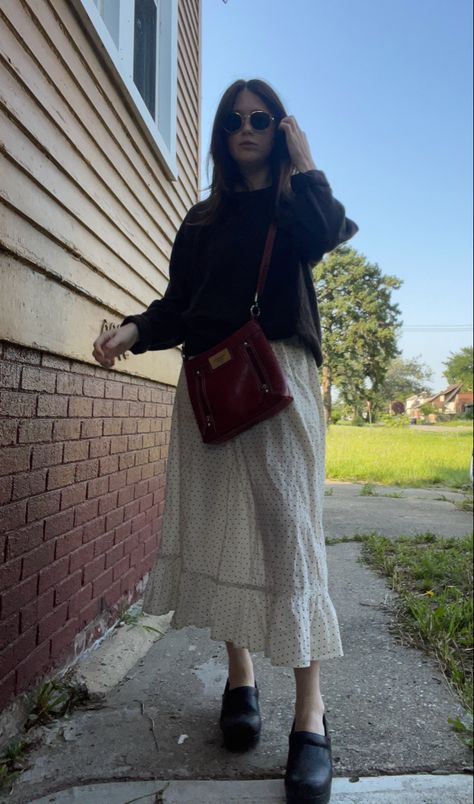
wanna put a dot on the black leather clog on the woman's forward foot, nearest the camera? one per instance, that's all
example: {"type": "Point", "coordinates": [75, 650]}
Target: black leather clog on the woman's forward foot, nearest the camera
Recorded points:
{"type": "Point", "coordinates": [308, 774]}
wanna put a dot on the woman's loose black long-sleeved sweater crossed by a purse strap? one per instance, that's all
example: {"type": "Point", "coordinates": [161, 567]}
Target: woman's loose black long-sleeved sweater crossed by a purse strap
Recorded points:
{"type": "Point", "coordinates": [214, 270]}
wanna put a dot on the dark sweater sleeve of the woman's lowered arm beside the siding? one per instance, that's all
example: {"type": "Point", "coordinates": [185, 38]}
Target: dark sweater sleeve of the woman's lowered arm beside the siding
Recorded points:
{"type": "Point", "coordinates": [160, 326]}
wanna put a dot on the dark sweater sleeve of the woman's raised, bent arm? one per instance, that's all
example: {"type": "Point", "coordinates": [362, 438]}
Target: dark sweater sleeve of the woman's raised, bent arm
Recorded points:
{"type": "Point", "coordinates": [319, 222]}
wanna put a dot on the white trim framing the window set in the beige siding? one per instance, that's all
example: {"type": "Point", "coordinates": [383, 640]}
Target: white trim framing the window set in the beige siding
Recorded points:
{"type": "Point", "coordinates": [161, 135]}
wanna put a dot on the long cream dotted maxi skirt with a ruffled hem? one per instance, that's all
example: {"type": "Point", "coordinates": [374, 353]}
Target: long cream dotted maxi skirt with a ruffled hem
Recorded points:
{"type": "Point", "coordinates": [242, 548]}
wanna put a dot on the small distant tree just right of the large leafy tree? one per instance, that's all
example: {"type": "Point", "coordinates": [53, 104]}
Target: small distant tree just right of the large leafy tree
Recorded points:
{"type": "Point", "coordinates": [403, 379]}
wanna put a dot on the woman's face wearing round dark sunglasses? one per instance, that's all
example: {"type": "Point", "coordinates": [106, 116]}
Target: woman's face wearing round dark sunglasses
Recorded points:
{"type": "Point", "coordinates": [249, 148]}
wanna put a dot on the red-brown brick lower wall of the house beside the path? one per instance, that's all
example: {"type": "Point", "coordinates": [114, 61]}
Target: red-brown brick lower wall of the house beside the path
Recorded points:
{"type": "Point", "coordinates": [82, 473]}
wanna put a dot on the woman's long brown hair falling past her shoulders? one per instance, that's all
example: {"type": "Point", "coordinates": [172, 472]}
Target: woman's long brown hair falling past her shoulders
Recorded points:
{"type": "Point", "coordinates": [225, 171]}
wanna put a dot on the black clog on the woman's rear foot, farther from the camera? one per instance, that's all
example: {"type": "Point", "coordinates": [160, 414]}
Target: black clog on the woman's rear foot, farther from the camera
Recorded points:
{"type": "Point", "coordinates": [240, 719]}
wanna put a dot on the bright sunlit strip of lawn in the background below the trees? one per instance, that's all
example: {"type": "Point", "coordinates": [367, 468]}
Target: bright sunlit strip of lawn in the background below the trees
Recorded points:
{"type": "Point", "coordinates": [399, 456]}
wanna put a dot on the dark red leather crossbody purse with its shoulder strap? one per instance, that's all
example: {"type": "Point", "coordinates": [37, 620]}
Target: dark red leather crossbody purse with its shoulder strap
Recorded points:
{"type": "Point", "coordinates": [238, 382]}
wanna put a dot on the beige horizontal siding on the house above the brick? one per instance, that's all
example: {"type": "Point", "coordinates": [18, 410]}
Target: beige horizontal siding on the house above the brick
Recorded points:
{"type": "Point", "coordinates": [88, 215]}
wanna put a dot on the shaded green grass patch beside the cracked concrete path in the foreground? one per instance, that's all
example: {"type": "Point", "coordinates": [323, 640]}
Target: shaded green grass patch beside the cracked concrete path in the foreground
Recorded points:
{"type": "Point", "coordinates": [434, 579]}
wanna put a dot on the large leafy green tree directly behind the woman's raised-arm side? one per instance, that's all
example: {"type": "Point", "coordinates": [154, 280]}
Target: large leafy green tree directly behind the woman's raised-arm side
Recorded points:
{"type": "Point", "coordinates": [359, 324]}
